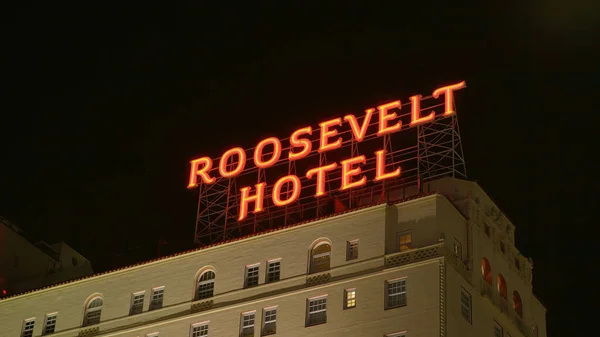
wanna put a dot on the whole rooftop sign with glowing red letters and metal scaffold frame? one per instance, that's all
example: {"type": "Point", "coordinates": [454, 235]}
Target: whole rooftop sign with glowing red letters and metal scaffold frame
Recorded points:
{"type": "Point", "coordinates": [339, 164]}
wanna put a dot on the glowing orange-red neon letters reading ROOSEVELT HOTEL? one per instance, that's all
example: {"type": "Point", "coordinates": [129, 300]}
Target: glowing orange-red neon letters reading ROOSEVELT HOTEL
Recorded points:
{"type": "Point", "coordinates": [379, 122]}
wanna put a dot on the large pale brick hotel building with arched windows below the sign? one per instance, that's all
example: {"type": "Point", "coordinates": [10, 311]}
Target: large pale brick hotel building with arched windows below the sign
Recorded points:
{"type": "Point", "coordinates": [437, 263]}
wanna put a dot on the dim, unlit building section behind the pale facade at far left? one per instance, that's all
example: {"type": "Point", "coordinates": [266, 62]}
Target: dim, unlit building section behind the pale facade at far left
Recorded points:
{"type": "Point", "coordinates": [26, 266]}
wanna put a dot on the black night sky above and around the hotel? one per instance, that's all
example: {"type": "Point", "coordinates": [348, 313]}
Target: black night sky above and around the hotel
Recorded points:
{"type": "Point", "coordinates": [105, 107]}
